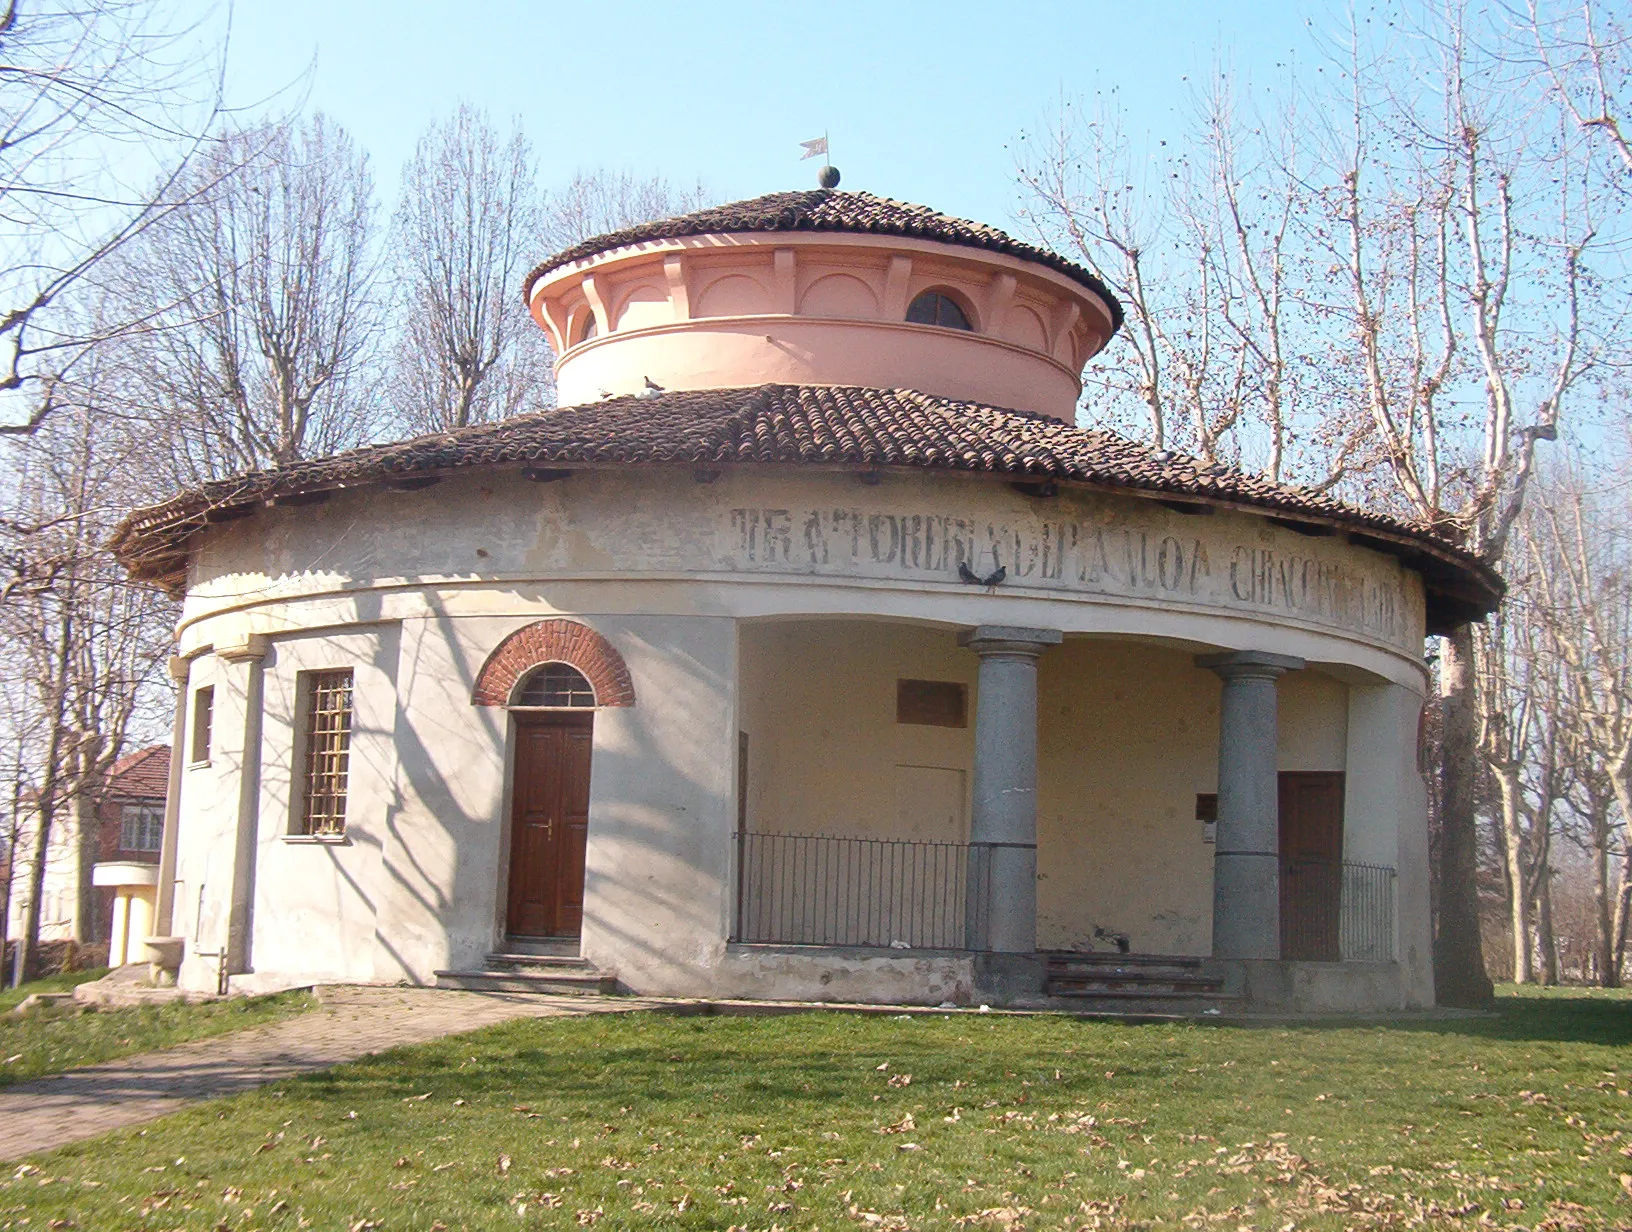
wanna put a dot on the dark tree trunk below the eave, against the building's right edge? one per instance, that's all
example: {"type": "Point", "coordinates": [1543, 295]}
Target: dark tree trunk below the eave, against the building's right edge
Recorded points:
{"type": "Point", "coordinates": [1458, 954]}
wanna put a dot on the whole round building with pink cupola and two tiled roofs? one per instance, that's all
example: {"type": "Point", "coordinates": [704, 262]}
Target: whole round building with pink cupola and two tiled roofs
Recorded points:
{"type": "Point", "coordinates": [805, 652]}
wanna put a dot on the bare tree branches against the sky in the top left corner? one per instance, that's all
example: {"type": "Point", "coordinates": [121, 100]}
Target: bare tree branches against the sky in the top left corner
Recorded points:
{"type": "Point", "coordinates": [105, 105]}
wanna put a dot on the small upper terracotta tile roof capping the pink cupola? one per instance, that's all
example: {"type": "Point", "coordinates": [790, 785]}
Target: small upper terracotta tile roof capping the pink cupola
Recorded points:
{"type": "Point", "coordinates": [825, 210]}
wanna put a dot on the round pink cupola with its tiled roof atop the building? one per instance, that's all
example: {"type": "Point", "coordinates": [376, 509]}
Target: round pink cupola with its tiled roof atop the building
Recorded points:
{"type": "Point", "coordinates": [822, 288]}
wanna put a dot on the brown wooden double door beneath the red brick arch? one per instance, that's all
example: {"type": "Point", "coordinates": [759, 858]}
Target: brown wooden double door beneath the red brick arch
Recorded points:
{"type": "Point", "coordinates": [549, 825]}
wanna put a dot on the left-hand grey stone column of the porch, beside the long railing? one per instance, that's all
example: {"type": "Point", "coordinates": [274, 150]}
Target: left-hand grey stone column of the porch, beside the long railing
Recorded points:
{"type": "Point", "coordinates": [1003, 828]}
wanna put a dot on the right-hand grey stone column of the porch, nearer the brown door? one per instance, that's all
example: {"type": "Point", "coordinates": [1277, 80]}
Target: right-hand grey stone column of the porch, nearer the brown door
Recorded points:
{"type": "Point", "coordinates": [1246, 861]}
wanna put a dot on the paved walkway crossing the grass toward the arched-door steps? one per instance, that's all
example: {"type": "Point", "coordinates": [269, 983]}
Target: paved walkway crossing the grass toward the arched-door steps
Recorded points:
{"type": "Point", "coordinates": [352, 1022]}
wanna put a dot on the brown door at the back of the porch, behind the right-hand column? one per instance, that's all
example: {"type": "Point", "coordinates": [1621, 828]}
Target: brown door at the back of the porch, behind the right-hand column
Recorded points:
{"type": "Point", "coordinates": [1311, 864]}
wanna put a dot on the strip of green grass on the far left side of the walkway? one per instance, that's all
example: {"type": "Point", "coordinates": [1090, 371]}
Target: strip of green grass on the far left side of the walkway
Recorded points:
{"type": "Point", "coordinates": [56, 1040]}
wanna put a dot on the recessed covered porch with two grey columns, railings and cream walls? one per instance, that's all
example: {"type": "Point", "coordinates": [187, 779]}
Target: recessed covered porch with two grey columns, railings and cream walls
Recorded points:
{"type": "Point", "coordinates": [1049, 809]}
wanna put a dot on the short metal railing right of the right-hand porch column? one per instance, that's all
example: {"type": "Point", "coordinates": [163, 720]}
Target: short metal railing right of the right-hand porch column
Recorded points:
{"type": "Point", "coordinates": [1337, 911]}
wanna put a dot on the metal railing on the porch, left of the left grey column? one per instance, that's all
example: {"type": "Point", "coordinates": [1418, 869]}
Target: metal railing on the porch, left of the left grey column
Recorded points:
{"type": "Point", "coordinates": [830, 890]}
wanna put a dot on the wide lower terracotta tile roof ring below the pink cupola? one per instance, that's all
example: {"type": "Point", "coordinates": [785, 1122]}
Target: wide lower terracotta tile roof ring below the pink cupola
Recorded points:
{"type": "Point", "coordinates": [840, 427]}
